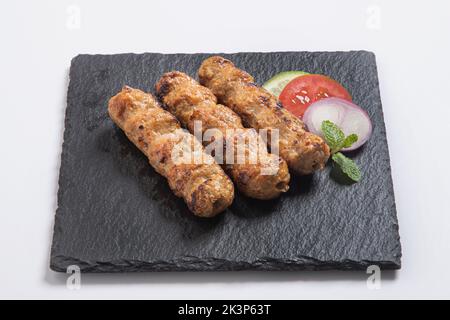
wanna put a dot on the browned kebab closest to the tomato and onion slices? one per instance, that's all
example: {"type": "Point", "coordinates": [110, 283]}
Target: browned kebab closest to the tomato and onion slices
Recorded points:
{"type": "Point", "coordinates": [304, 152]}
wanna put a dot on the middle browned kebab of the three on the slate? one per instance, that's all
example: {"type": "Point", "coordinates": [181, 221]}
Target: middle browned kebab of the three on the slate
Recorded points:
{"type": "Point", "coordinates": [189, 102]}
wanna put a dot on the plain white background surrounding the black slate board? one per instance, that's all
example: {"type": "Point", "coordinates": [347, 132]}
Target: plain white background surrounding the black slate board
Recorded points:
{"type": "Point", "coordinates": [39, 38]}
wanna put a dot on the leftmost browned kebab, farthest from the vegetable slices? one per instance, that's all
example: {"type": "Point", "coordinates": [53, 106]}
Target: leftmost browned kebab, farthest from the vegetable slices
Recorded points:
{"type": "Point", "coordinates": [204, 186]}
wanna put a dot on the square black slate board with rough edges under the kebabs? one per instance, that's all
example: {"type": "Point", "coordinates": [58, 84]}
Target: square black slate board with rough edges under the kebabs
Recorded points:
{"type": "Point", "coordinates": [115, 214]}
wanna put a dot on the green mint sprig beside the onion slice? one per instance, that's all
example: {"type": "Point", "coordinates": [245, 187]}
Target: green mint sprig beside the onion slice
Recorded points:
{"type": "Point", "coordinates": [336, 140]}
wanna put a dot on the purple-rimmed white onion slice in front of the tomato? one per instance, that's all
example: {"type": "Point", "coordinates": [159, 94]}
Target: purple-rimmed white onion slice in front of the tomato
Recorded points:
{"type": "Point", "coordinates": [346, 115]}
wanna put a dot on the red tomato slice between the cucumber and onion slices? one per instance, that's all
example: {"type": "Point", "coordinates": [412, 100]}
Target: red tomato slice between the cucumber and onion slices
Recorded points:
{"type": "Point", "coordinates": [302, 91]}
